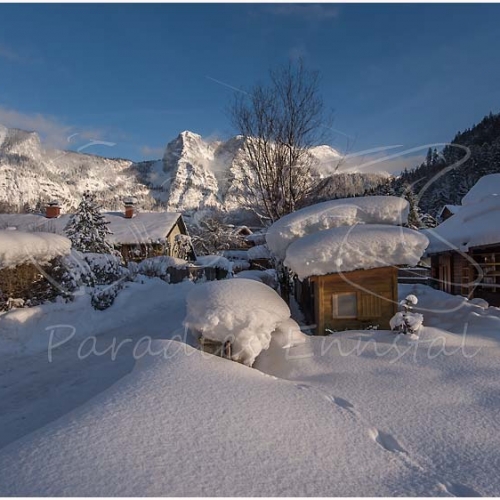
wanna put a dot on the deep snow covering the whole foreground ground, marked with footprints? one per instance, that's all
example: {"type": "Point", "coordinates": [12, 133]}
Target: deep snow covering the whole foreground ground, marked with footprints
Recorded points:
{"type": "Point", "coordinates": [357, 413]}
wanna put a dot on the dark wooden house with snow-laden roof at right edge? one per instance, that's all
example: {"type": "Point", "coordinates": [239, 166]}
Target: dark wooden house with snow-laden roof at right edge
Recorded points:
{"type": "Point", "coordinates": [465, 248]}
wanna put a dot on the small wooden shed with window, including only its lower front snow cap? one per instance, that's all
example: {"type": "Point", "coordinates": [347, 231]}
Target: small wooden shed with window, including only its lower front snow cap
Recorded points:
{"type": "Point", "coordinates": [348, 276]}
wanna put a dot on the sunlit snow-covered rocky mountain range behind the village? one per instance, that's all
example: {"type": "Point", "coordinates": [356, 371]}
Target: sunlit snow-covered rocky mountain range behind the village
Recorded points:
{"type": "Point", "coordinates": [194, 174]}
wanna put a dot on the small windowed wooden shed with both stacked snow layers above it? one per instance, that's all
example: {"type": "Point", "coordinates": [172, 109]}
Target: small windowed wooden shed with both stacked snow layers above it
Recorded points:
{"type": "Point", "coordinates": [345, 255]}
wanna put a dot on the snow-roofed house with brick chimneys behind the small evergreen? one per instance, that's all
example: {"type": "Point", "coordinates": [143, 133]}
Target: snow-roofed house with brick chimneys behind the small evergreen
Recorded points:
{"type": "Point", "coordinates": [136, 234]}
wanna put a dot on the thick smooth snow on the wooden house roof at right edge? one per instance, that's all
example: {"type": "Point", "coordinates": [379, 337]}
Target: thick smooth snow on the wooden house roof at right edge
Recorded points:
{"type": "Point", "coordinates": [475, 224]}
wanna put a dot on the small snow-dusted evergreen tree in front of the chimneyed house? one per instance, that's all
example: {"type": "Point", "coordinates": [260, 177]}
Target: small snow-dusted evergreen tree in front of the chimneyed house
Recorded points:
{"type": "Point", "coordinates": [87, 228]}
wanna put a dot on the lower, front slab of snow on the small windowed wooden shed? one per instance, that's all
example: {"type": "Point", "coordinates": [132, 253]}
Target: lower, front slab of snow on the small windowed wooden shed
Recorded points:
{"type": "Point", "coordinates": [364, 246]}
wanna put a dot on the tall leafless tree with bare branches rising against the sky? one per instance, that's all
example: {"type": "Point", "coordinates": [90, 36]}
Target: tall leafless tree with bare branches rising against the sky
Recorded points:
{"type": "Point", "coordinates": [280, 121]}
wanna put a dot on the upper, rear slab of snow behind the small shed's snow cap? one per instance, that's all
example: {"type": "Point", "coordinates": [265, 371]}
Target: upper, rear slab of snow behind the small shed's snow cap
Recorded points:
{"type": "Point", "coordinates": [335, 213]}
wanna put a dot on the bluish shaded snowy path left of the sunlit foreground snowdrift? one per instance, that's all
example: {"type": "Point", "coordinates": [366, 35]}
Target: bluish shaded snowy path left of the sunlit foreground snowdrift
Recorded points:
{"type": "Point", "coordinates": [34, 392]}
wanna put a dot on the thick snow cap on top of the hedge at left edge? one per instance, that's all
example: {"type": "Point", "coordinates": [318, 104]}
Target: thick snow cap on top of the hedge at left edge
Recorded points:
{"type": "Point", "coordinates": [18, 247]}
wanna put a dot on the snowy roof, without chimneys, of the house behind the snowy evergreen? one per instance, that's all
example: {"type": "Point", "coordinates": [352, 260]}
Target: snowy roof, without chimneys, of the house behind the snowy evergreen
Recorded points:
{"type": "Point", "coordinates": [144, 227]}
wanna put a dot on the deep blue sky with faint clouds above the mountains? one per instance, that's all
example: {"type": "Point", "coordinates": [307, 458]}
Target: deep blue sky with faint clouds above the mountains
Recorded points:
{"type": "Point", "coordinates": [137, 75]}
